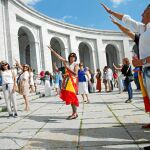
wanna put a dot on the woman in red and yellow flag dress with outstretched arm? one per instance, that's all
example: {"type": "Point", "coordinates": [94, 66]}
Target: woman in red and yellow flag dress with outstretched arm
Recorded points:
{"type": "Point", "coordinates": [70, 82]}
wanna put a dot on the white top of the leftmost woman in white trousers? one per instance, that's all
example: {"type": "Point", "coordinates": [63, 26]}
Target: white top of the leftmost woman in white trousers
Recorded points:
{"type": "Point", "coordinates": [7, 77]}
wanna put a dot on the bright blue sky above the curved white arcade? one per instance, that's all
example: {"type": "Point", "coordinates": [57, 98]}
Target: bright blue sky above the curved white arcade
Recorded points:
{"type": "Point", "coordinates": [88, 13]}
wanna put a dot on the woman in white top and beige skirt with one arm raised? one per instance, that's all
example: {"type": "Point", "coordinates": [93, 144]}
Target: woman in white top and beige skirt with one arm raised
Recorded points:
{"type": "Point", "coordinates": [23, 84]}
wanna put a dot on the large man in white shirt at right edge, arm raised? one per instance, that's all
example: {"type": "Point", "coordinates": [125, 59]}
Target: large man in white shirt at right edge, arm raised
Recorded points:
{"type": "Point", "coordinates": [142, 28]}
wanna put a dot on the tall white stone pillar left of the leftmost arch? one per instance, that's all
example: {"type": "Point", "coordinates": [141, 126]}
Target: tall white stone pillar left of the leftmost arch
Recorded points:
{"type": "Point", "coordinates": [11, 33]}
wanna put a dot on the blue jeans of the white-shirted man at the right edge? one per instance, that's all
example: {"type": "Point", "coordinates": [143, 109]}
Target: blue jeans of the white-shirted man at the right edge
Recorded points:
{"type": "Point", "coordinates": [146, 79]}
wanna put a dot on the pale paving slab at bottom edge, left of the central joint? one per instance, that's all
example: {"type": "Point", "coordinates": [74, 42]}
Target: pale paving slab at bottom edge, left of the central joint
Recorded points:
{"type": "Point", "coordinates": [55, 139]}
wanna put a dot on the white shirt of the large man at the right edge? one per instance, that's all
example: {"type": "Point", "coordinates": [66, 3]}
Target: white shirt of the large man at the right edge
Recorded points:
{"type": "Point", "coordinates": [144, 30]}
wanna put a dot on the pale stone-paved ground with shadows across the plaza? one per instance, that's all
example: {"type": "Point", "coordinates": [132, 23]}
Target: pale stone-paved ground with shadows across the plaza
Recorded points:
{"type": "Point", "coordinates": [107, 123]}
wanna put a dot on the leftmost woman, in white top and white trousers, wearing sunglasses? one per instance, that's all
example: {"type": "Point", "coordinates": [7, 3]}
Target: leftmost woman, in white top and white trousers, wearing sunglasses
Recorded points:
{"type": "Point", "coordinates": [9, 86]}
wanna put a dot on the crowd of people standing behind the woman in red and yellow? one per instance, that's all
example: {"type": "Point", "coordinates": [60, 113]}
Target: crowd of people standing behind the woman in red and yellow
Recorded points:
{"type": "Point", "coordinates": [23, 79]}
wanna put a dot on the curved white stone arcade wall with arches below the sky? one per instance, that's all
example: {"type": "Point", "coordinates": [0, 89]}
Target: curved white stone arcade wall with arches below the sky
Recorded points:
{"type": "Point", "coordinates": [44, 29]}
